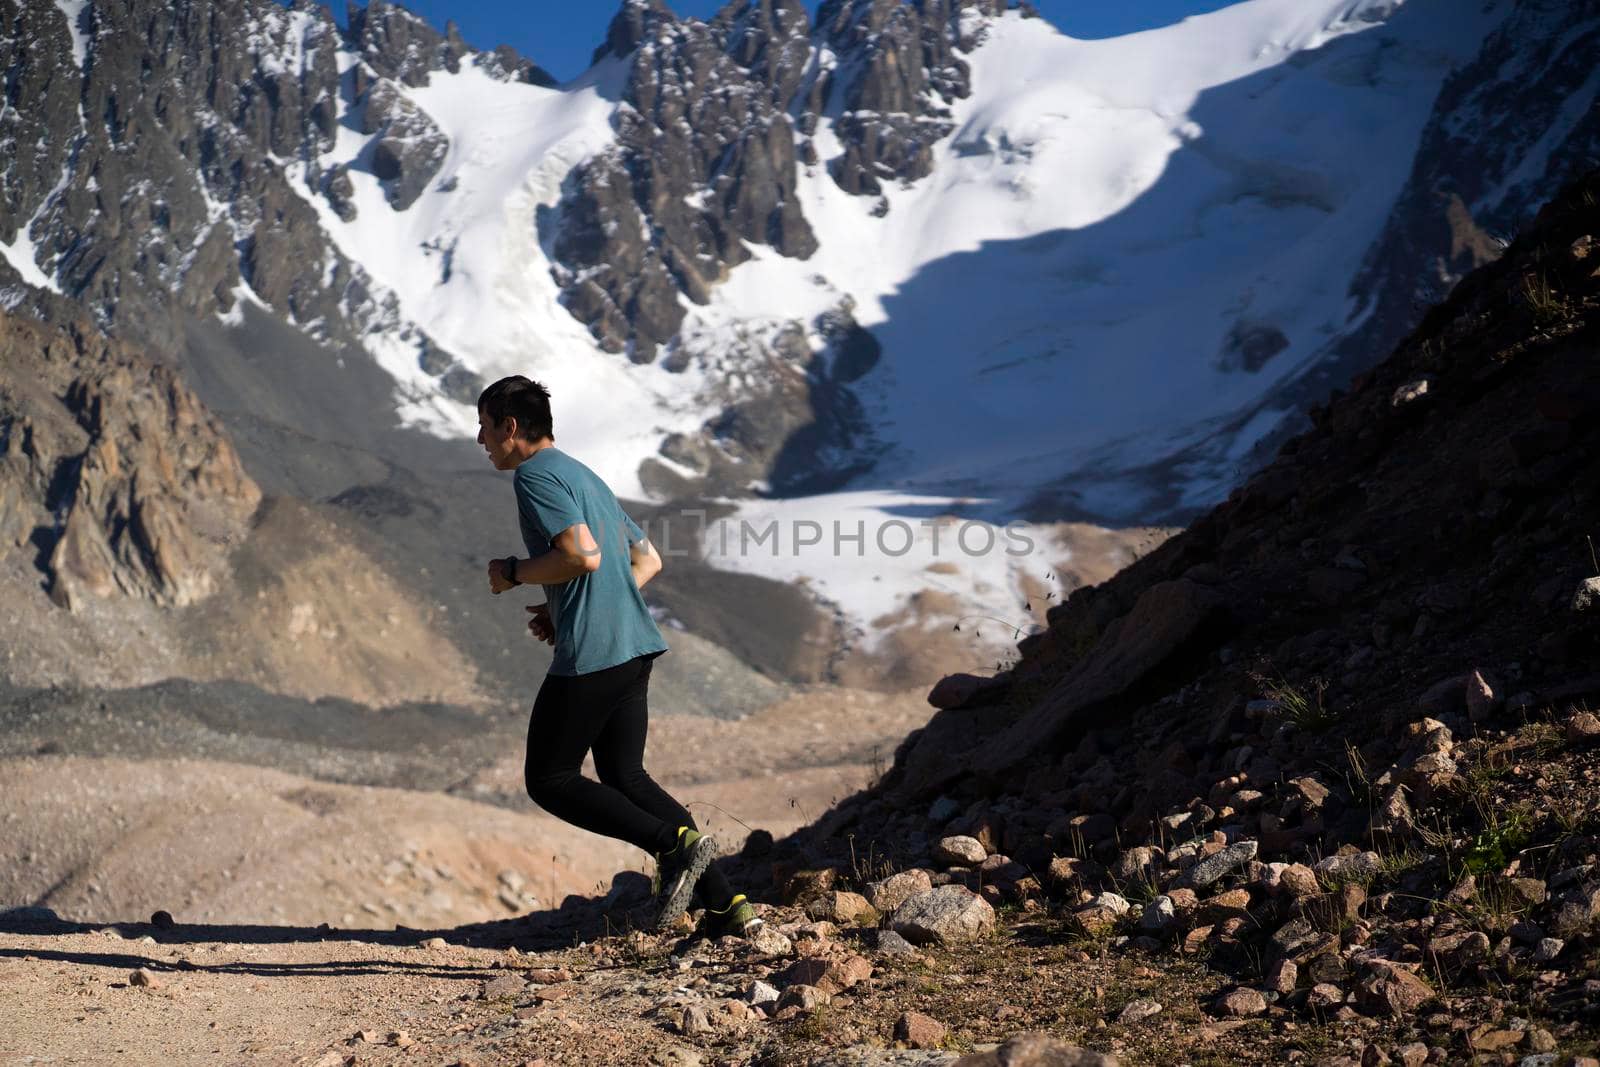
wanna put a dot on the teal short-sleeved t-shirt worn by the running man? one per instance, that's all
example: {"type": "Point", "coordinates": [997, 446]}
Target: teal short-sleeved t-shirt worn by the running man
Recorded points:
{"type": "Point", "coordinates": [601, 618]}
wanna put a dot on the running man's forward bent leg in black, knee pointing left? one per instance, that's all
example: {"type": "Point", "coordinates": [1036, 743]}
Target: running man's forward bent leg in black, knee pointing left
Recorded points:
{"type": "Point", "coordinates": [569, 714]}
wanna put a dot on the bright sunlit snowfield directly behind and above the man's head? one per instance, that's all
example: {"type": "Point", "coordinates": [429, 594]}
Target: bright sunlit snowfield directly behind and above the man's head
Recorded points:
{"type": "Point", "coordinates": [500, 313]}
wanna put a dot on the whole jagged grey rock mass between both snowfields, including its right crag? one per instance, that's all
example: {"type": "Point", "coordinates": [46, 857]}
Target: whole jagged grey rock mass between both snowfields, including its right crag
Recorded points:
{"type": "Point", "coordinates": [706, 156]}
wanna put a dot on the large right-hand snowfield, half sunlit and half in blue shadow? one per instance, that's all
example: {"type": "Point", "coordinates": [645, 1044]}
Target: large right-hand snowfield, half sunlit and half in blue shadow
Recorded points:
{"type": "Point", "coordinates": [1110, 212]}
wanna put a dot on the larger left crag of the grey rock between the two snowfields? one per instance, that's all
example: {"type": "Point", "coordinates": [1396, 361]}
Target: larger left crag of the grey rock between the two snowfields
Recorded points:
{"type": "Point", "coordinates": [705, 161]}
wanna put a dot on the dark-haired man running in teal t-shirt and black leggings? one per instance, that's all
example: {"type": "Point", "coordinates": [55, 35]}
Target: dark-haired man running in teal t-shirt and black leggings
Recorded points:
{"type": "Point", "coordinates": [593, 561]}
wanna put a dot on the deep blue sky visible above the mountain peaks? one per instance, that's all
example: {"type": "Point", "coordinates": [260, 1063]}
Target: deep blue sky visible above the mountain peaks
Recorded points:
{"type": "Point", "coordinates": [561, 38]}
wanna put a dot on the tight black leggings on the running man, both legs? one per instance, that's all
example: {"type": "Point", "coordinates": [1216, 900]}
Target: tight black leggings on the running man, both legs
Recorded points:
{"type": "Point", "coordinates": [607, 713]}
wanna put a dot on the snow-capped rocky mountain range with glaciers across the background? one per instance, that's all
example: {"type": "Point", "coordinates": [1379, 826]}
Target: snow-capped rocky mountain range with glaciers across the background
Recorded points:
{"type": "Point", "coordinates": [930, 254]}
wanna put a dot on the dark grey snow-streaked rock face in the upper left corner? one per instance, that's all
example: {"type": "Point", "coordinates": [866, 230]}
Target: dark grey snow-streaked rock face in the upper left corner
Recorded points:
{"type": "Point", "coordinates": [159, 186]}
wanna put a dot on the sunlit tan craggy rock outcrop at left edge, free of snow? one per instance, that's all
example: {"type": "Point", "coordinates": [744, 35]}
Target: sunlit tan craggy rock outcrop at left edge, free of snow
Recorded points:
{"type": "Point", "coordinates": [116, 476]}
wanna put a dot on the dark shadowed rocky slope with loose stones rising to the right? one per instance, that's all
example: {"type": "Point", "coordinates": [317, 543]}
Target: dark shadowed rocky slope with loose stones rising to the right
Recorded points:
{"type": "Point", "coordinates": [1346, 770]}
